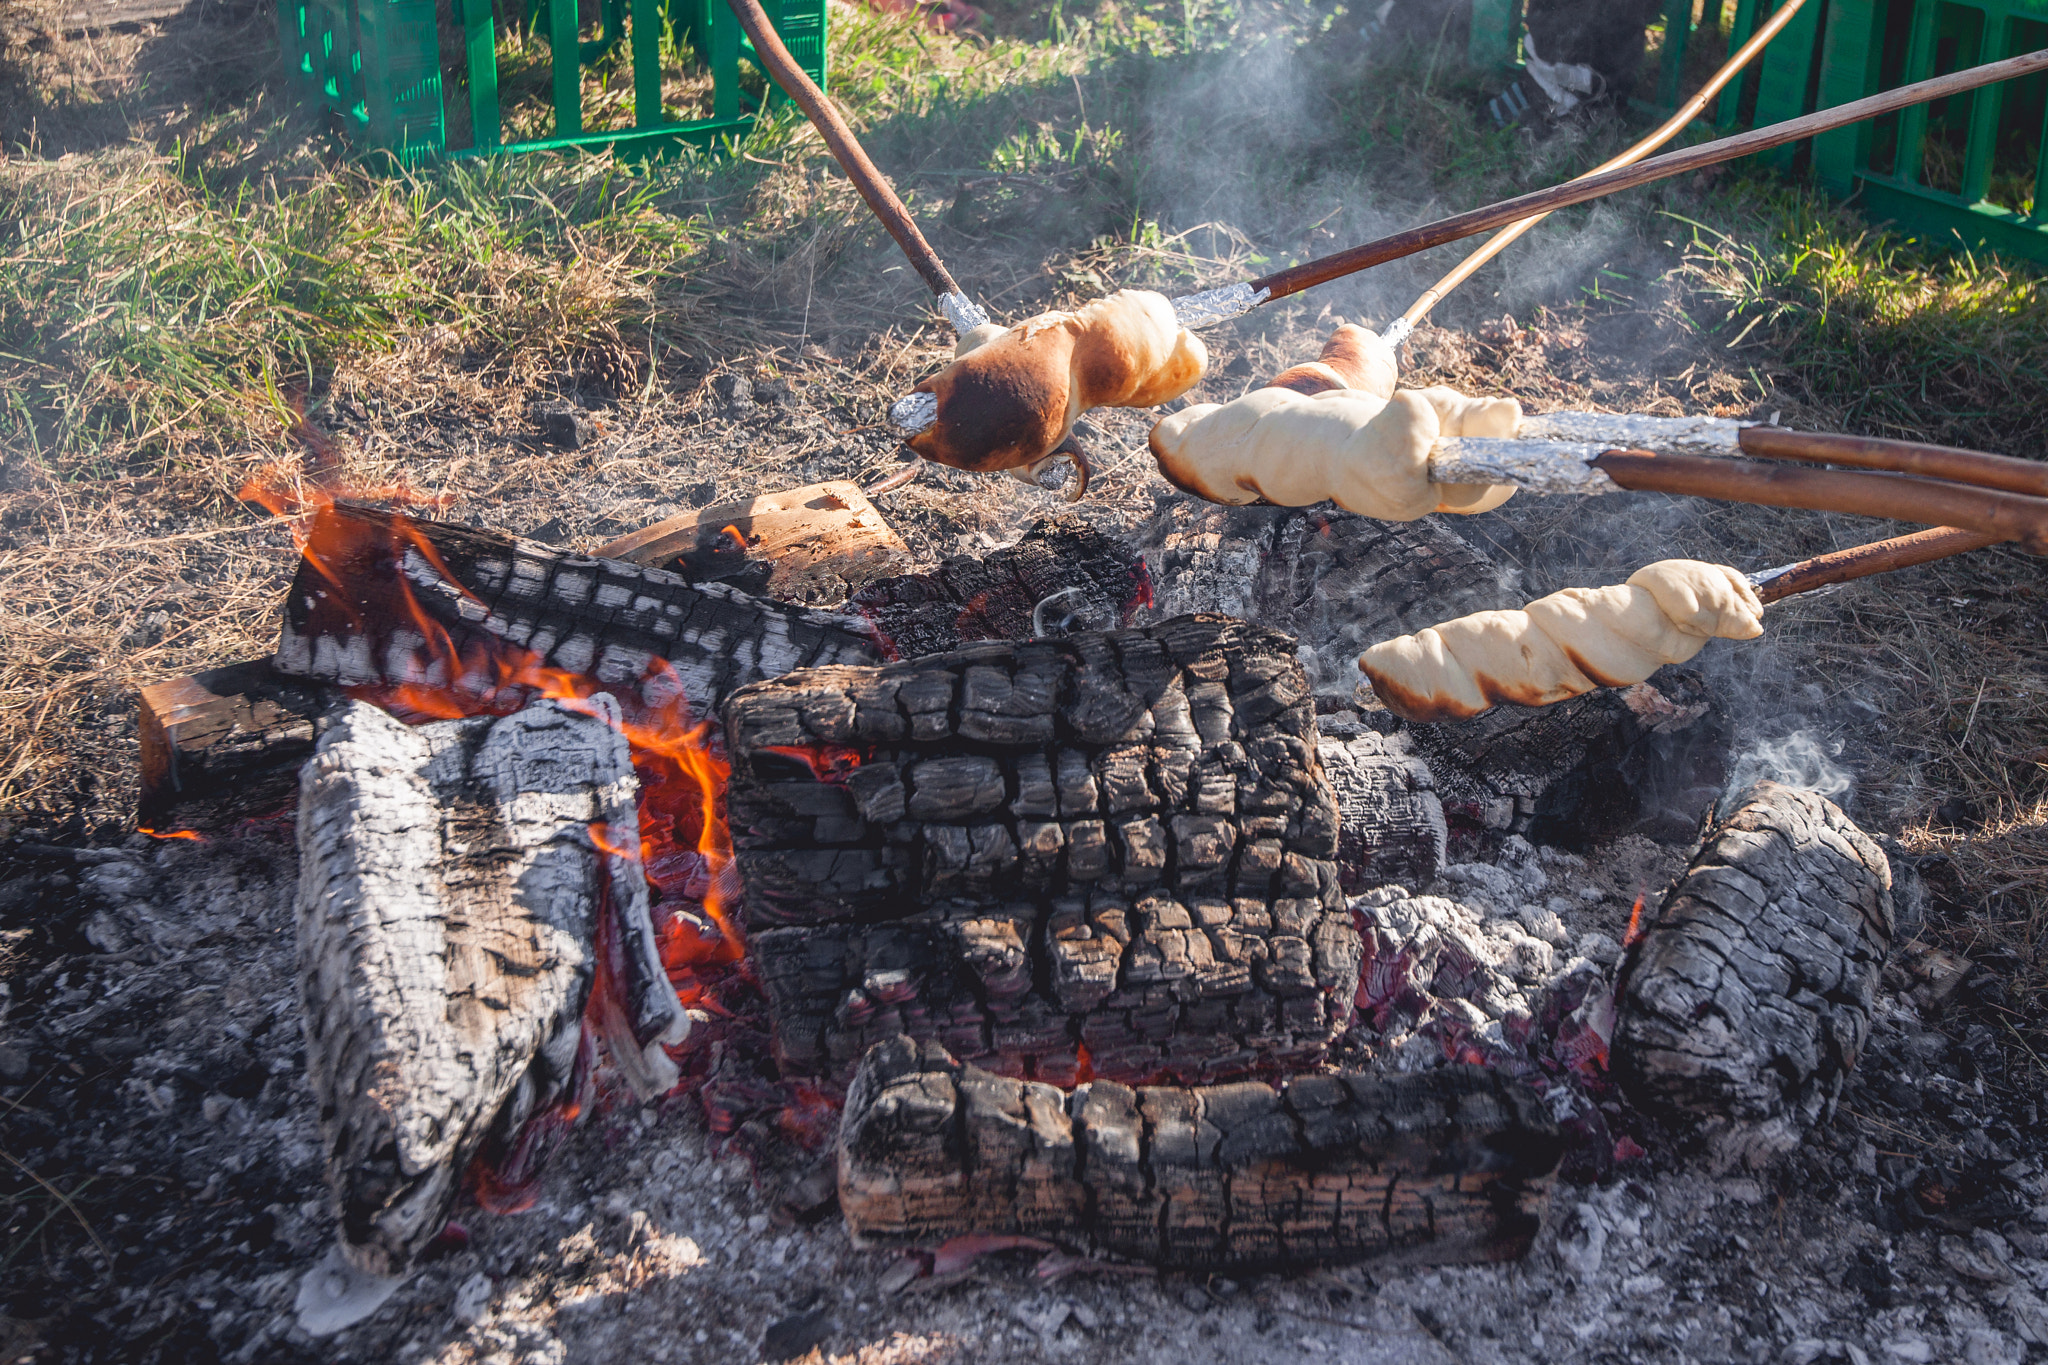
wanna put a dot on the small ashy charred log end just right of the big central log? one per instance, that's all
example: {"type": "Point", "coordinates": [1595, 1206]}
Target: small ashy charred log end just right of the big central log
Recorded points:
{"type": "Point", "coordinates": [1390, 820]}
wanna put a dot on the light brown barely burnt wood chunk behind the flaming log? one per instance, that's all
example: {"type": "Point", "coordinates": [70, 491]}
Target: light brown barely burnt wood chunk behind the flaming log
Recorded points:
{"type": "Point", "coordinates": [812, 545]}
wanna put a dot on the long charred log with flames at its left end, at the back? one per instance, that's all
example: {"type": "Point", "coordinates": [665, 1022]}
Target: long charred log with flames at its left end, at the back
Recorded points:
{"type": "Point", "coordinates": [482, 590]}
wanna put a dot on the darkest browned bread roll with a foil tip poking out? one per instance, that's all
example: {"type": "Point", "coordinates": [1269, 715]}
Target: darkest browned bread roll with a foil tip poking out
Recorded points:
{"type": "Point", "coordinates": [1011, 398]}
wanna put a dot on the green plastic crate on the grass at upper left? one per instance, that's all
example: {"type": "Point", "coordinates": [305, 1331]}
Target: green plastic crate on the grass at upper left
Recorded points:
{"type": "Point", "coordinates": [376, 64]}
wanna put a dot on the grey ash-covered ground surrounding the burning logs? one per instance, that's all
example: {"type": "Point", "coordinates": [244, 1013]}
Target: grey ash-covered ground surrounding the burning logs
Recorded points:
{"type": "Point", "coordinates": [153, 1073]}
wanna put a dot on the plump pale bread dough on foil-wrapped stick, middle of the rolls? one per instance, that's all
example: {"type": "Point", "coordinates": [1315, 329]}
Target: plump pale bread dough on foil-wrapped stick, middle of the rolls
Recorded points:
{"type": "Point", "coordinates": [1359, 449]}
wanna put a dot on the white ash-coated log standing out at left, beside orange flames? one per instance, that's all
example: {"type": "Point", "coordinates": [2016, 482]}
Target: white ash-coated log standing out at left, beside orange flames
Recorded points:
{"type": "Point", "coordinates": [450, 912]}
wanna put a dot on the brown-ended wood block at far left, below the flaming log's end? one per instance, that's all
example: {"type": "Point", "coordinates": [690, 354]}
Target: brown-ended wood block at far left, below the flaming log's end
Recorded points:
{"type": "Point", "coordinates": [224, 744]}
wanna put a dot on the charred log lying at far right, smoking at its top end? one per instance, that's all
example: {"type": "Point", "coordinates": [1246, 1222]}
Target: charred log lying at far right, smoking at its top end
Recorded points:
{"type": "Point", "coordinates": [1748, 1002]}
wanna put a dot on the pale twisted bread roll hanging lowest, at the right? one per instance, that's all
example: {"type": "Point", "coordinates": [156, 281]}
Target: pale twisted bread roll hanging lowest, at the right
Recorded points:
{"type": "Point", "coordinates": [1564, 646]}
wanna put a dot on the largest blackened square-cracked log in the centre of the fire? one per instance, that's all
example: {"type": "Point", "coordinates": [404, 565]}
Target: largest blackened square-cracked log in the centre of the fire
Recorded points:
{"type": "Point", "coordinates": [1107, 854]}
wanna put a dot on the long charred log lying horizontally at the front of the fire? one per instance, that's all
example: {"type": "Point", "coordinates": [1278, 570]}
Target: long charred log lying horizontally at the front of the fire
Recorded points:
{"type": "Point", "coordinates": [1449, 1165]}
